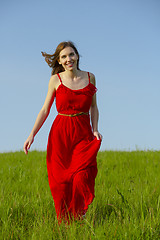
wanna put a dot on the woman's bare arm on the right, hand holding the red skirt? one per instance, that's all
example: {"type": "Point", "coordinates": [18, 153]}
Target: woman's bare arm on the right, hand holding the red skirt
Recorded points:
{"type": "Point", "coordinates": [94, 112]}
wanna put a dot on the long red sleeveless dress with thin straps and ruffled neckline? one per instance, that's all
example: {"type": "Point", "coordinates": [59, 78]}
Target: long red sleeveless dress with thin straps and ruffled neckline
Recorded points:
{"type": "Point", "coordinates": [71, 153]}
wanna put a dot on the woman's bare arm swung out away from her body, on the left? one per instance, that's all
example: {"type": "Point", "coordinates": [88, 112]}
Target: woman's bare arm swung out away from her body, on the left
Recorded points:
{"type": "Point", "coordinates": [43, 114]}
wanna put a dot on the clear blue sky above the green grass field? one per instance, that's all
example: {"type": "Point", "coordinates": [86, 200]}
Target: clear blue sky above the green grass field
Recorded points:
{"type": "Point", "coordinates": [118, 40]}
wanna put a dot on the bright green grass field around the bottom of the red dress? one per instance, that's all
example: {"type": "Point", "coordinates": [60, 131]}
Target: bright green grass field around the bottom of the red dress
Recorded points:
{"type": "Point", "coordinates": [126, 206]}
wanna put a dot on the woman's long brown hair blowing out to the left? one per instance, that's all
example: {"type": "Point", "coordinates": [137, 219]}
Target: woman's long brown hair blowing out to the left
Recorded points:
{"type": "Point", "coordinates": [52, 59]}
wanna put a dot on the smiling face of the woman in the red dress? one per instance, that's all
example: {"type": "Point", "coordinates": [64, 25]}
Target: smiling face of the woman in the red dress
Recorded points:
{"type": "Point", "coordinates": [68, 58]}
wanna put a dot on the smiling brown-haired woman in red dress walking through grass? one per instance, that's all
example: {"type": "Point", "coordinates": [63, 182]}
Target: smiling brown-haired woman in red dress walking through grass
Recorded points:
{"type": "Point", "coordinates": [72, 143]}
